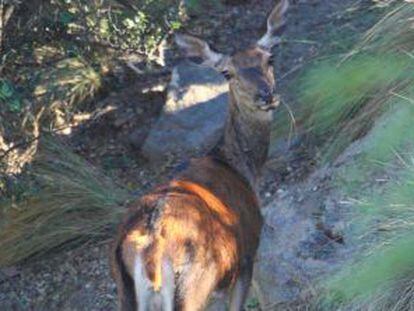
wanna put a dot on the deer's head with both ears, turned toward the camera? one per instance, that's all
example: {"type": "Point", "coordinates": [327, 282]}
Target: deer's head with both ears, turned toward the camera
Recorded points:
{"type": "Point", "coordinates": [250, 72]}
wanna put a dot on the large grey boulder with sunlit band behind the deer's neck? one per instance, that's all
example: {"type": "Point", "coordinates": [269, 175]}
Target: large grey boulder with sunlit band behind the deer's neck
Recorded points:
{"type": "Point", "coordinates": [194, 115]}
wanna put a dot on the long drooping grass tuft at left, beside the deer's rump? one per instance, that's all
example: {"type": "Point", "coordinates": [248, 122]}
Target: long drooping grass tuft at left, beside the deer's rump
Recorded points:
{"type": "Point", "coordinates": [75, 204]}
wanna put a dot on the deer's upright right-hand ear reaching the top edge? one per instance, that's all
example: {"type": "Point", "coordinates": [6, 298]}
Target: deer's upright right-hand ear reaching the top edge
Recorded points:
{"type": "Point", "coordinates": [275, 24]}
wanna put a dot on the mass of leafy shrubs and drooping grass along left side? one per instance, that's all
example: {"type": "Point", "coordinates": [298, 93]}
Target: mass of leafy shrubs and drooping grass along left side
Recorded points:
{"type": "Point", "coordinates": [57, 59]}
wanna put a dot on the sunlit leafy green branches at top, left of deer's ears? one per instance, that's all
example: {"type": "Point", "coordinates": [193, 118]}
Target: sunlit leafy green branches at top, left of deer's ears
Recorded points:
{"type": "Point", "coordinates": [136, 26]}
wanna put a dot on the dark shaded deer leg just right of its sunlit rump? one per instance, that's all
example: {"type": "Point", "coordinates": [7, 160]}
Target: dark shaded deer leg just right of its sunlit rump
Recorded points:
{"type": "Point", "coordinates": [240, 289]}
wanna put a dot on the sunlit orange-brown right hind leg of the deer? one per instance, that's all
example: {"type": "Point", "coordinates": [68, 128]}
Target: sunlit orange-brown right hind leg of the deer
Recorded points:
{"type": "Point", "coordinates": [198, 283]}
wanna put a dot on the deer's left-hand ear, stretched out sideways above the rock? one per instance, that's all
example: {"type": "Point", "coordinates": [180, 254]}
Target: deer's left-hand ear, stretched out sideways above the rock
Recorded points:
{"type": "Point", "coordinates": [193, 47]}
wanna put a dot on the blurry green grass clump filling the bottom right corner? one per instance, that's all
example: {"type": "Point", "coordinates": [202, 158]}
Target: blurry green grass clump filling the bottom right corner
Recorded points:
{"type": "Point", "coordinates": [380, 276]}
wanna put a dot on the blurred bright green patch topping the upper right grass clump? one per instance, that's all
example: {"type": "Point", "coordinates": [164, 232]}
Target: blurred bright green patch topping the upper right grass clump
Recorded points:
{"type": "Point", "coordinates": [336, 92]}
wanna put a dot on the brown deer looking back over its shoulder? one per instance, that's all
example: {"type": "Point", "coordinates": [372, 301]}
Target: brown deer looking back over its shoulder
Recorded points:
{"type": "Point", "coordinates": [199, 233]}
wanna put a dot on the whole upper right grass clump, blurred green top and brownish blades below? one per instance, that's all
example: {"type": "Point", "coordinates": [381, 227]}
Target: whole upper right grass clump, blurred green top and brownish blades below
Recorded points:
{"type": "Point", "coordinates": [344, 100]}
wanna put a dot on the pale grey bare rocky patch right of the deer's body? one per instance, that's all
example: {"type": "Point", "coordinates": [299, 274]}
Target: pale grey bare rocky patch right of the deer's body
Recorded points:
{"type": "Point", "coordinates": [293, 251]}
